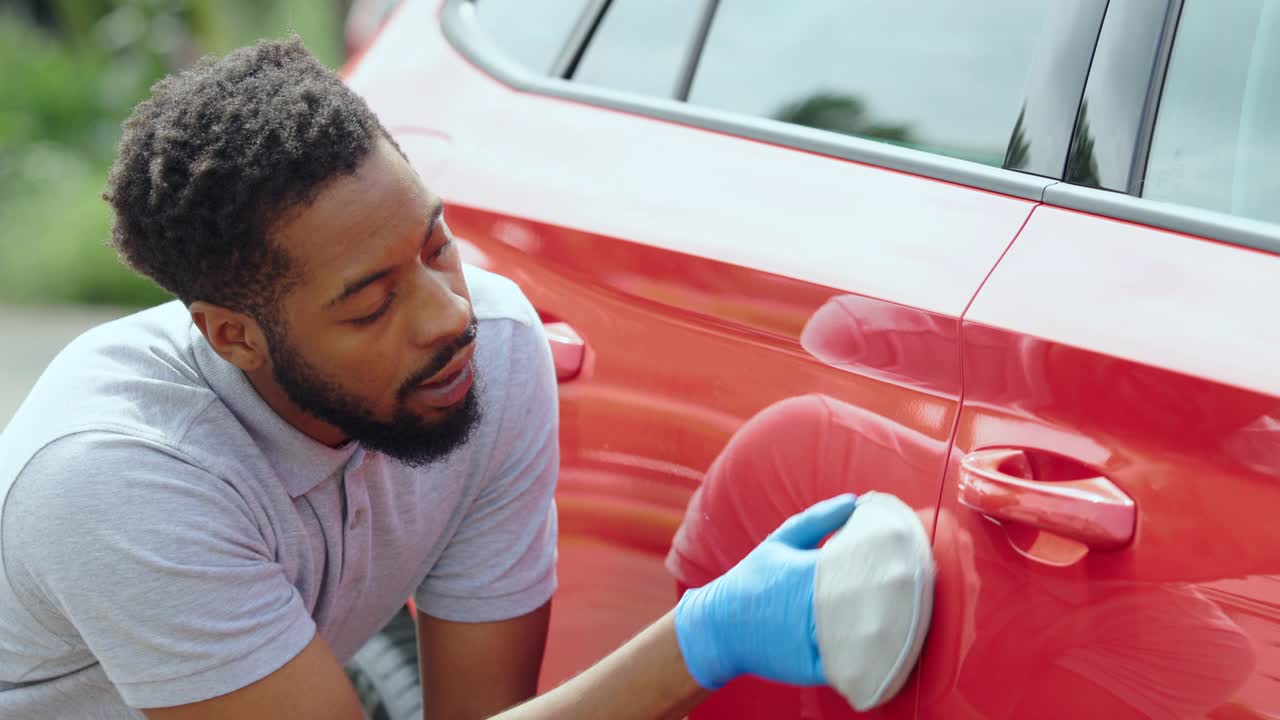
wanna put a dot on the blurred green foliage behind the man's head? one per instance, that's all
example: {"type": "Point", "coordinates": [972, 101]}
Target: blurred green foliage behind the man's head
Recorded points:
{"type": "Point", "coordinates": [65, 93]}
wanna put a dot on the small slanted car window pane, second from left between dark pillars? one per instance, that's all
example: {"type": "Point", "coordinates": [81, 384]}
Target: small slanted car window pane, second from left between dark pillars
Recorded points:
{"type": "Point", "coordinates": [642, 47]}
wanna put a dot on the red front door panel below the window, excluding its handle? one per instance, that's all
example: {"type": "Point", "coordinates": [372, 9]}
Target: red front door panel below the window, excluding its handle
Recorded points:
{"type": "Point", "coordinates": [1142, 357]}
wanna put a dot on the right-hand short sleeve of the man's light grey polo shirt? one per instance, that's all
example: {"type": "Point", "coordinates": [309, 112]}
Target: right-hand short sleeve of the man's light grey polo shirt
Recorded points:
{"type": "Point", "coordinates": [501, 563]}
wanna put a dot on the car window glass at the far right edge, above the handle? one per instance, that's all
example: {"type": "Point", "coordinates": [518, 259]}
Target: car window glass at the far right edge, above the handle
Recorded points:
{"type": "Point", "coordinates": [1217, 142]}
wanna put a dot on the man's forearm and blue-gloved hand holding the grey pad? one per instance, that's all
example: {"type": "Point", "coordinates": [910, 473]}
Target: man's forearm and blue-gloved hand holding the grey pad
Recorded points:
{"type": "Point", "coordinates": [756, 619]}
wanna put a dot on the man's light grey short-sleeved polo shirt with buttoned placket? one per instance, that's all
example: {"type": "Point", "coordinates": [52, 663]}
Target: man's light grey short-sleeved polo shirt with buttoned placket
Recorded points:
{"type": "Point", "coordinates": [166, 537]}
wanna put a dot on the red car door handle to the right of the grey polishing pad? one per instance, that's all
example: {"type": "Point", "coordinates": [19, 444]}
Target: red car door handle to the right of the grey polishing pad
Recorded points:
{"type": "Point", "coordinates": [1091, 511]}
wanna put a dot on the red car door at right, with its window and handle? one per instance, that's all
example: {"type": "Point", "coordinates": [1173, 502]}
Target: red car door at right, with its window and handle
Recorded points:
{"type": "Point", "coordinates": [1108, 543]}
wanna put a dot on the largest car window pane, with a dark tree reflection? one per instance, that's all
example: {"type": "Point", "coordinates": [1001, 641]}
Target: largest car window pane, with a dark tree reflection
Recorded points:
{"type": "Point", "coordinates": [935, 75]}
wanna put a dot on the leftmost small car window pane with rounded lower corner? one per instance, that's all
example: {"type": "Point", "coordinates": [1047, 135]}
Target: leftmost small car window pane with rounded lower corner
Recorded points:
{"type": "Point", "coordinates": [532, 34]}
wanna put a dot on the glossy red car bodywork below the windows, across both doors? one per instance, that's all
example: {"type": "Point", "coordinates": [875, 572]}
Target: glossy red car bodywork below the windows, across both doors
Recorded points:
{"type": "Point", "coordinates": [824, 331]}
